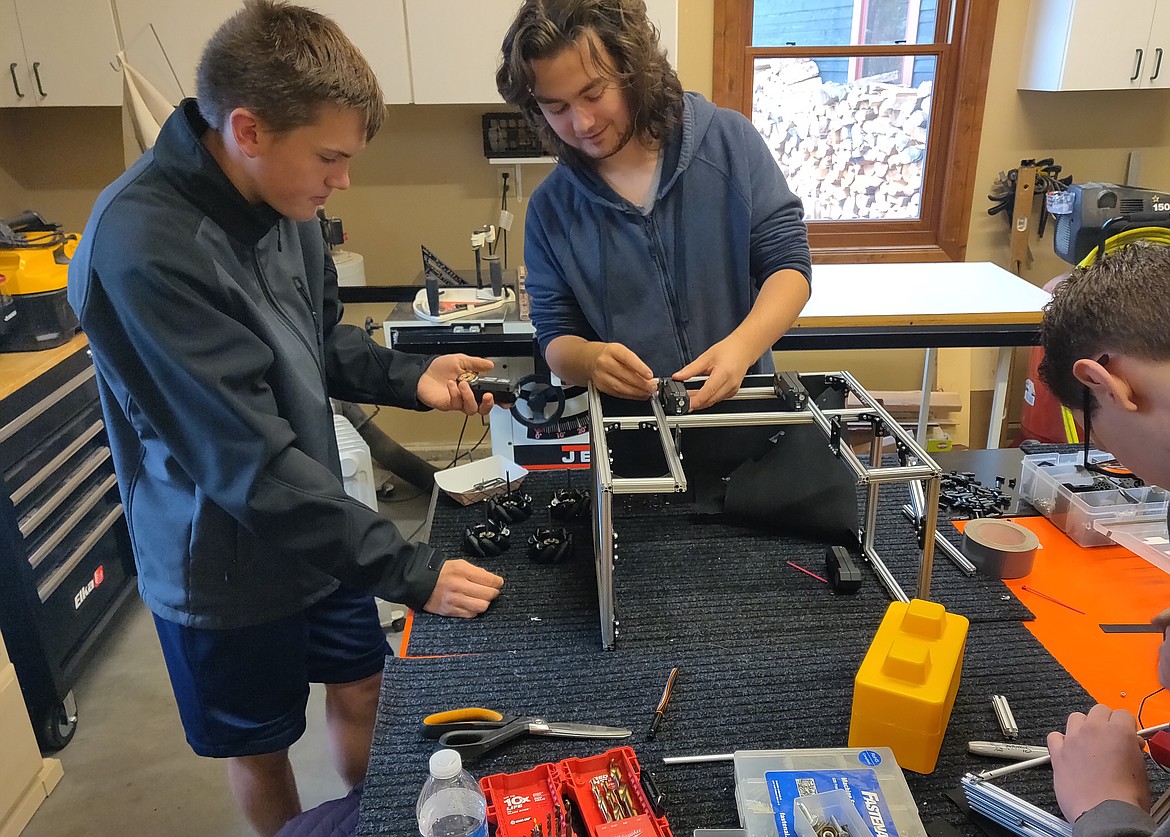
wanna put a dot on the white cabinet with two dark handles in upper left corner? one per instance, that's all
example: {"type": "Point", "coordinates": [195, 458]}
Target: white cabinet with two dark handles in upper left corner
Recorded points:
{"type": "Point", "coordinates": [58, 53]}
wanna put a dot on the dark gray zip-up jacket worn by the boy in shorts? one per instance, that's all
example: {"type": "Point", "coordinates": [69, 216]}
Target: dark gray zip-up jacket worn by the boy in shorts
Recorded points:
{"type": "Point", "coordinates": [216, 333]}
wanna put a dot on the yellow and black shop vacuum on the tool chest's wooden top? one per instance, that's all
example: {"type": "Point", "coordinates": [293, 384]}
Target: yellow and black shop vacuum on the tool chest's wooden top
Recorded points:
{"type": "Point", "coordinates": [35, 270]}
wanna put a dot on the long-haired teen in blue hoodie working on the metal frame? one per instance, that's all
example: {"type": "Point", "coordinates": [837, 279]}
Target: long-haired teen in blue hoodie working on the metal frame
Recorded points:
{"type": "Point", "coordinates": [666, 242]}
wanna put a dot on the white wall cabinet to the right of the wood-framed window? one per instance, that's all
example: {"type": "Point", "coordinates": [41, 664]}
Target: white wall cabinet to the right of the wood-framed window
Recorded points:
{"type": "Point", "coordinates": [1097, 45]}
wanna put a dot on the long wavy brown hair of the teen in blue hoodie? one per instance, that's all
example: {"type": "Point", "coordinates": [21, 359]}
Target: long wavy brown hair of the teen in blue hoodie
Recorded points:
{"type": "Point", "coordinates": [542, 29]}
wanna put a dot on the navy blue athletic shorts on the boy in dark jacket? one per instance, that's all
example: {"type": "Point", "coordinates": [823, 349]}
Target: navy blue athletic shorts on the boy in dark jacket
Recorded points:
{"type": "Point", "coordinates": [244, 691]}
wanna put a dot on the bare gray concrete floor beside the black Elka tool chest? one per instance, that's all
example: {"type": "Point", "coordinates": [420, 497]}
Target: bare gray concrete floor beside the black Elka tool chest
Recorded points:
{"type": "Point", "coordinates": [129, 770]}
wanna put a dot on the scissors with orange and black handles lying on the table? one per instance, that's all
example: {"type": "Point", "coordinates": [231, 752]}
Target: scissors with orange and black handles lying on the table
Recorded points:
{"type": "Point", "coordinates": [473, 731]}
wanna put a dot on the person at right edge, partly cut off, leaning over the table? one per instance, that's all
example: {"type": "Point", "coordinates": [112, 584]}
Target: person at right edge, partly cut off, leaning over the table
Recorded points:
{"type": "Point", "coordinates": [1107, 358]}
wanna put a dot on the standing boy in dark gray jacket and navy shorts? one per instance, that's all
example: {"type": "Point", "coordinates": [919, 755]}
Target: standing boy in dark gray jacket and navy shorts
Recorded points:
{"type": "Point", "coordinates": [212, 310]}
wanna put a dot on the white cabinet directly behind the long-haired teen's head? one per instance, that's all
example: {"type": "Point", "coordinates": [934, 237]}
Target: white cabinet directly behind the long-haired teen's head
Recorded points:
{"type": "Point", "coordinates": [456, 46]}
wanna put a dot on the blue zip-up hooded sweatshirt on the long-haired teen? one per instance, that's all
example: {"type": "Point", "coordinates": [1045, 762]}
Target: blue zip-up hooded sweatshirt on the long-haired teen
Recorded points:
{"type": "Point", "coordinates": [671, 284]}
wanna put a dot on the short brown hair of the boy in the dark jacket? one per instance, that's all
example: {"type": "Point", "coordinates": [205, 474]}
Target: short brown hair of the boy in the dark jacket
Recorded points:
{"type": "Point", "coordinates": [284, 63]}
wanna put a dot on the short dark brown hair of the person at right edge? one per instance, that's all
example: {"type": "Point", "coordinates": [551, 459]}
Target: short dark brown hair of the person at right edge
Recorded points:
{"type": "Point", "coordinates": [1117, 305]}
